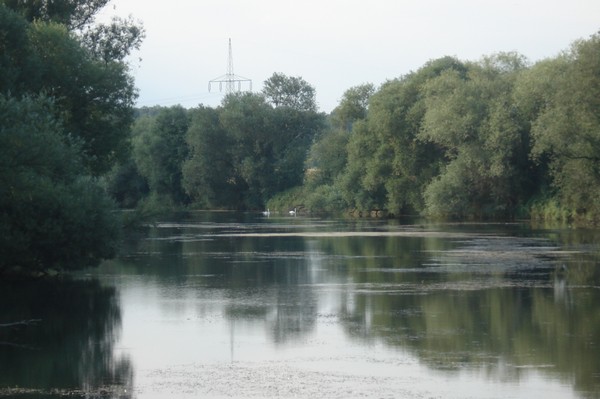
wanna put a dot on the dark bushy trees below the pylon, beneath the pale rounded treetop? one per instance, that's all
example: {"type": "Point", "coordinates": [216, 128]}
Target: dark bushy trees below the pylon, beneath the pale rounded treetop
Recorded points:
{"type": "Point", "coordinates": [246, 151]}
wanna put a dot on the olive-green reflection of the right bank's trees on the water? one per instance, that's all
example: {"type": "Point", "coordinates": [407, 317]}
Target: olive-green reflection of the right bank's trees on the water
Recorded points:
{"type": "Point", "coordinates": [504, 314]}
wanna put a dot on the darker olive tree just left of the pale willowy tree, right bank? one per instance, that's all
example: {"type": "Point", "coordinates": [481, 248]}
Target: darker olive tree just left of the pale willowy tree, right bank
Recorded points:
{"type": "Point", "coordinates": [388, 165]}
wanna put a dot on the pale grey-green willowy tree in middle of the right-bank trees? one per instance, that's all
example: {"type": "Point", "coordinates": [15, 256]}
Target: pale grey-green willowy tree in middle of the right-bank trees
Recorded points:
{"type": "Point", "coordinates": [473, 118]}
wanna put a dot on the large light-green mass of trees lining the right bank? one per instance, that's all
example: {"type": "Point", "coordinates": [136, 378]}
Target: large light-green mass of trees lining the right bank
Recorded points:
{"type": "Point", "coordinates": [496, 138]}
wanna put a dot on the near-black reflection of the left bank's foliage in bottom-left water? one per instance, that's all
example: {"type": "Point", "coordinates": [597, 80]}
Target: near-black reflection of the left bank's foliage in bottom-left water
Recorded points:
{"type": "Point", "coordinates": [71, 350]}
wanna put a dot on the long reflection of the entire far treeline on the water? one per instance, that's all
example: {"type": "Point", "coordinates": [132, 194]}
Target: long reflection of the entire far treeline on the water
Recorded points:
{"type": "Point", "coordinates": [500, 302]}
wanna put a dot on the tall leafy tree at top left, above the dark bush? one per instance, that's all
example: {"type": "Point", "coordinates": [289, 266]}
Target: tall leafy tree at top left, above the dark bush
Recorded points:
{"type": "Point", "coordinates": [94, 92]}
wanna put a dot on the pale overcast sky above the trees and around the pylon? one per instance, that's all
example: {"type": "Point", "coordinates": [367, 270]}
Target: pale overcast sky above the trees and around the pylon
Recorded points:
{"type": "Point", "coordinates": [333, 44]}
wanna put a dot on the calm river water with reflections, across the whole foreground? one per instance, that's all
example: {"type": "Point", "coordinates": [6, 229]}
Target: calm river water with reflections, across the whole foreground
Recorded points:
{"type": "Point", "coordinates": [242, 305]}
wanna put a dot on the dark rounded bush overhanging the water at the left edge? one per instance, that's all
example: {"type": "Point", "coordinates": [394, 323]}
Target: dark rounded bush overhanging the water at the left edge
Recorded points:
{"type": "Point", "coordinates": [51, 216]}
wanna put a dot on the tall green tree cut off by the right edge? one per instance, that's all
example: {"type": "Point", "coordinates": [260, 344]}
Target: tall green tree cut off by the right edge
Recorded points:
{"type": "Point", "coordinates": [564, 94]}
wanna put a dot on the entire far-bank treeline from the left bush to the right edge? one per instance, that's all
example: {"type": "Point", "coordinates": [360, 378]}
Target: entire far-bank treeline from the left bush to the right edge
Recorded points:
{"type": "Point", "coordinates": [496, 138]}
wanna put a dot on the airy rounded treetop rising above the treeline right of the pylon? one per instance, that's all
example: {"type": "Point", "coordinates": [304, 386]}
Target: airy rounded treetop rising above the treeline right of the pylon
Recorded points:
{"type": "Point", "coordinates": [293, 92]}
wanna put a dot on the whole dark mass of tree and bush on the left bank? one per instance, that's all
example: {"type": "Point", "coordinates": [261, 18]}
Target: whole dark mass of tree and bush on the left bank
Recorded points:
{"type": "Point", "coordinates": [65, 110]}
